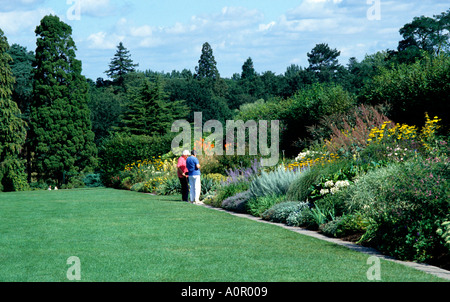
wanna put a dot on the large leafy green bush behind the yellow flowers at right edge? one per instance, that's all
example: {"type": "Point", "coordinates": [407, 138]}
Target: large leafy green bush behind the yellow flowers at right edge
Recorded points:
{"type": "Point", "coordinates": [413, 89]}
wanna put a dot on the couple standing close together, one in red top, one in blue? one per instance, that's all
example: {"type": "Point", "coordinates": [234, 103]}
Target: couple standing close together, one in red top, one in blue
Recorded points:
{"type": "Point", "coordinates": [189, 175]}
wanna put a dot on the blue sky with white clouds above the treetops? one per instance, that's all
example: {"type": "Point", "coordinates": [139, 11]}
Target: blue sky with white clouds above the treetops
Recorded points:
{"type": "Point", "coordinates": [168, 35]}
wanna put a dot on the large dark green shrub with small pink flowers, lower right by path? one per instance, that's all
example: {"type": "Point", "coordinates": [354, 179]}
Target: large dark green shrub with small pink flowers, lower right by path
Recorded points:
{"type": "Point", "coordinates": [406, 203]}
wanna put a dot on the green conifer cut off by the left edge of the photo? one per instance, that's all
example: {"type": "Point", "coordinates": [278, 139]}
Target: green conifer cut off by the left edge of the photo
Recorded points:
{"type": "Point", "coordinates": [12, 128]}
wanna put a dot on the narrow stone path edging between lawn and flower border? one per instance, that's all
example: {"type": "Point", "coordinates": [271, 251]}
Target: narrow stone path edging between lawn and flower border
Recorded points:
{"type": "Point", "coordinates": [439, 272]}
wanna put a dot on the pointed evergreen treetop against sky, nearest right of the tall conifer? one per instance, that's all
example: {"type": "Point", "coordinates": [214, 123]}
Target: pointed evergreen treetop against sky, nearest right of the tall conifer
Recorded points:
{"type": "Point", "coordinates": [121, 64]}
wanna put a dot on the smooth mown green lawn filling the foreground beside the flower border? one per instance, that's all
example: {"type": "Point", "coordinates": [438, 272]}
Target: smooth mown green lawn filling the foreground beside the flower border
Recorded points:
{"type": "Point", "coordinates": [128, 236]}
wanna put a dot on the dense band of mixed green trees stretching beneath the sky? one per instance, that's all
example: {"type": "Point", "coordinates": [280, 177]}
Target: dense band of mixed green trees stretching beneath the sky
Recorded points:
{"type": "Point", "coordinates": [55, 121]}
